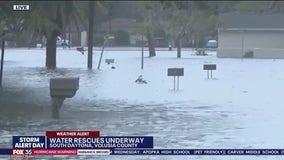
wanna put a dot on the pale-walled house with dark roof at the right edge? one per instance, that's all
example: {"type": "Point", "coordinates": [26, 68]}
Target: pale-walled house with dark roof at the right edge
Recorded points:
{"type": "Point", "coordinates": [260, 34]}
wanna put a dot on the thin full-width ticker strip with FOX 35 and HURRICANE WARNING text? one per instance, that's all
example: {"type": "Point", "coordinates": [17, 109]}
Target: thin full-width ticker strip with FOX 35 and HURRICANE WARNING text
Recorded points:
{"type": "Point", "coordinates": [17, 153]}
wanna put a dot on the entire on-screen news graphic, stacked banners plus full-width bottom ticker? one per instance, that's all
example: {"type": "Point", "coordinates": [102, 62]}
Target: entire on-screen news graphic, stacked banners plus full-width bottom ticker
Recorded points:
{"type": "Point", "coordinates": [91, 143]}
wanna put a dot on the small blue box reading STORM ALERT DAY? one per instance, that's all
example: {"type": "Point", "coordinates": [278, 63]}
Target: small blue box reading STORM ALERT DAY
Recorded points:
{"type": "Point", "coordinates": [28, 141]}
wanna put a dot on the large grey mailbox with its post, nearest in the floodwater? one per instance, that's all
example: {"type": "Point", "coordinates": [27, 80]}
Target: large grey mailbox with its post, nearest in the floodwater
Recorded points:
{"type": "Point", "coordinates": [61, 88]}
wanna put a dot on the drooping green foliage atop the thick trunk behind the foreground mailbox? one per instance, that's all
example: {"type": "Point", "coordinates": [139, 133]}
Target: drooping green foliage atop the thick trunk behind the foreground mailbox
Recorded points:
{"type": "Point", "coordinates": [48, 17]}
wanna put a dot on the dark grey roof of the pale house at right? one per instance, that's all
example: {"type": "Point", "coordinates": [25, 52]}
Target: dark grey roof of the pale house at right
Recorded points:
{"type": "Point", "coordinates": [252, 20]}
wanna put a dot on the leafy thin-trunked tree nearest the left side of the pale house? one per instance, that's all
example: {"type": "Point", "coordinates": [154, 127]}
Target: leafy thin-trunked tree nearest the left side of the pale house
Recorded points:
{"type": "Point", "coordinates": [193, 19]}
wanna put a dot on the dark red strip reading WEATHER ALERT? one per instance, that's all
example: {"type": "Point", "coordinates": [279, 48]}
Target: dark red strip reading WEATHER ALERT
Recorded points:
{"type": "Point", "coordinates": [72, 134]}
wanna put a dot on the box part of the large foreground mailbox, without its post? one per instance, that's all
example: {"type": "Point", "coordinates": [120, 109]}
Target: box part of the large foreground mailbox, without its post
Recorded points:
{"type": "Point", "coordinates": [64, 87]}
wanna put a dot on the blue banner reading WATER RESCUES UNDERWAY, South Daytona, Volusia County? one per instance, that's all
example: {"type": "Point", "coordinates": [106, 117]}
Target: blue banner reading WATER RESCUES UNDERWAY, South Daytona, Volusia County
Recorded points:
{"type": "Point", "coordinates": [101, 142]}
